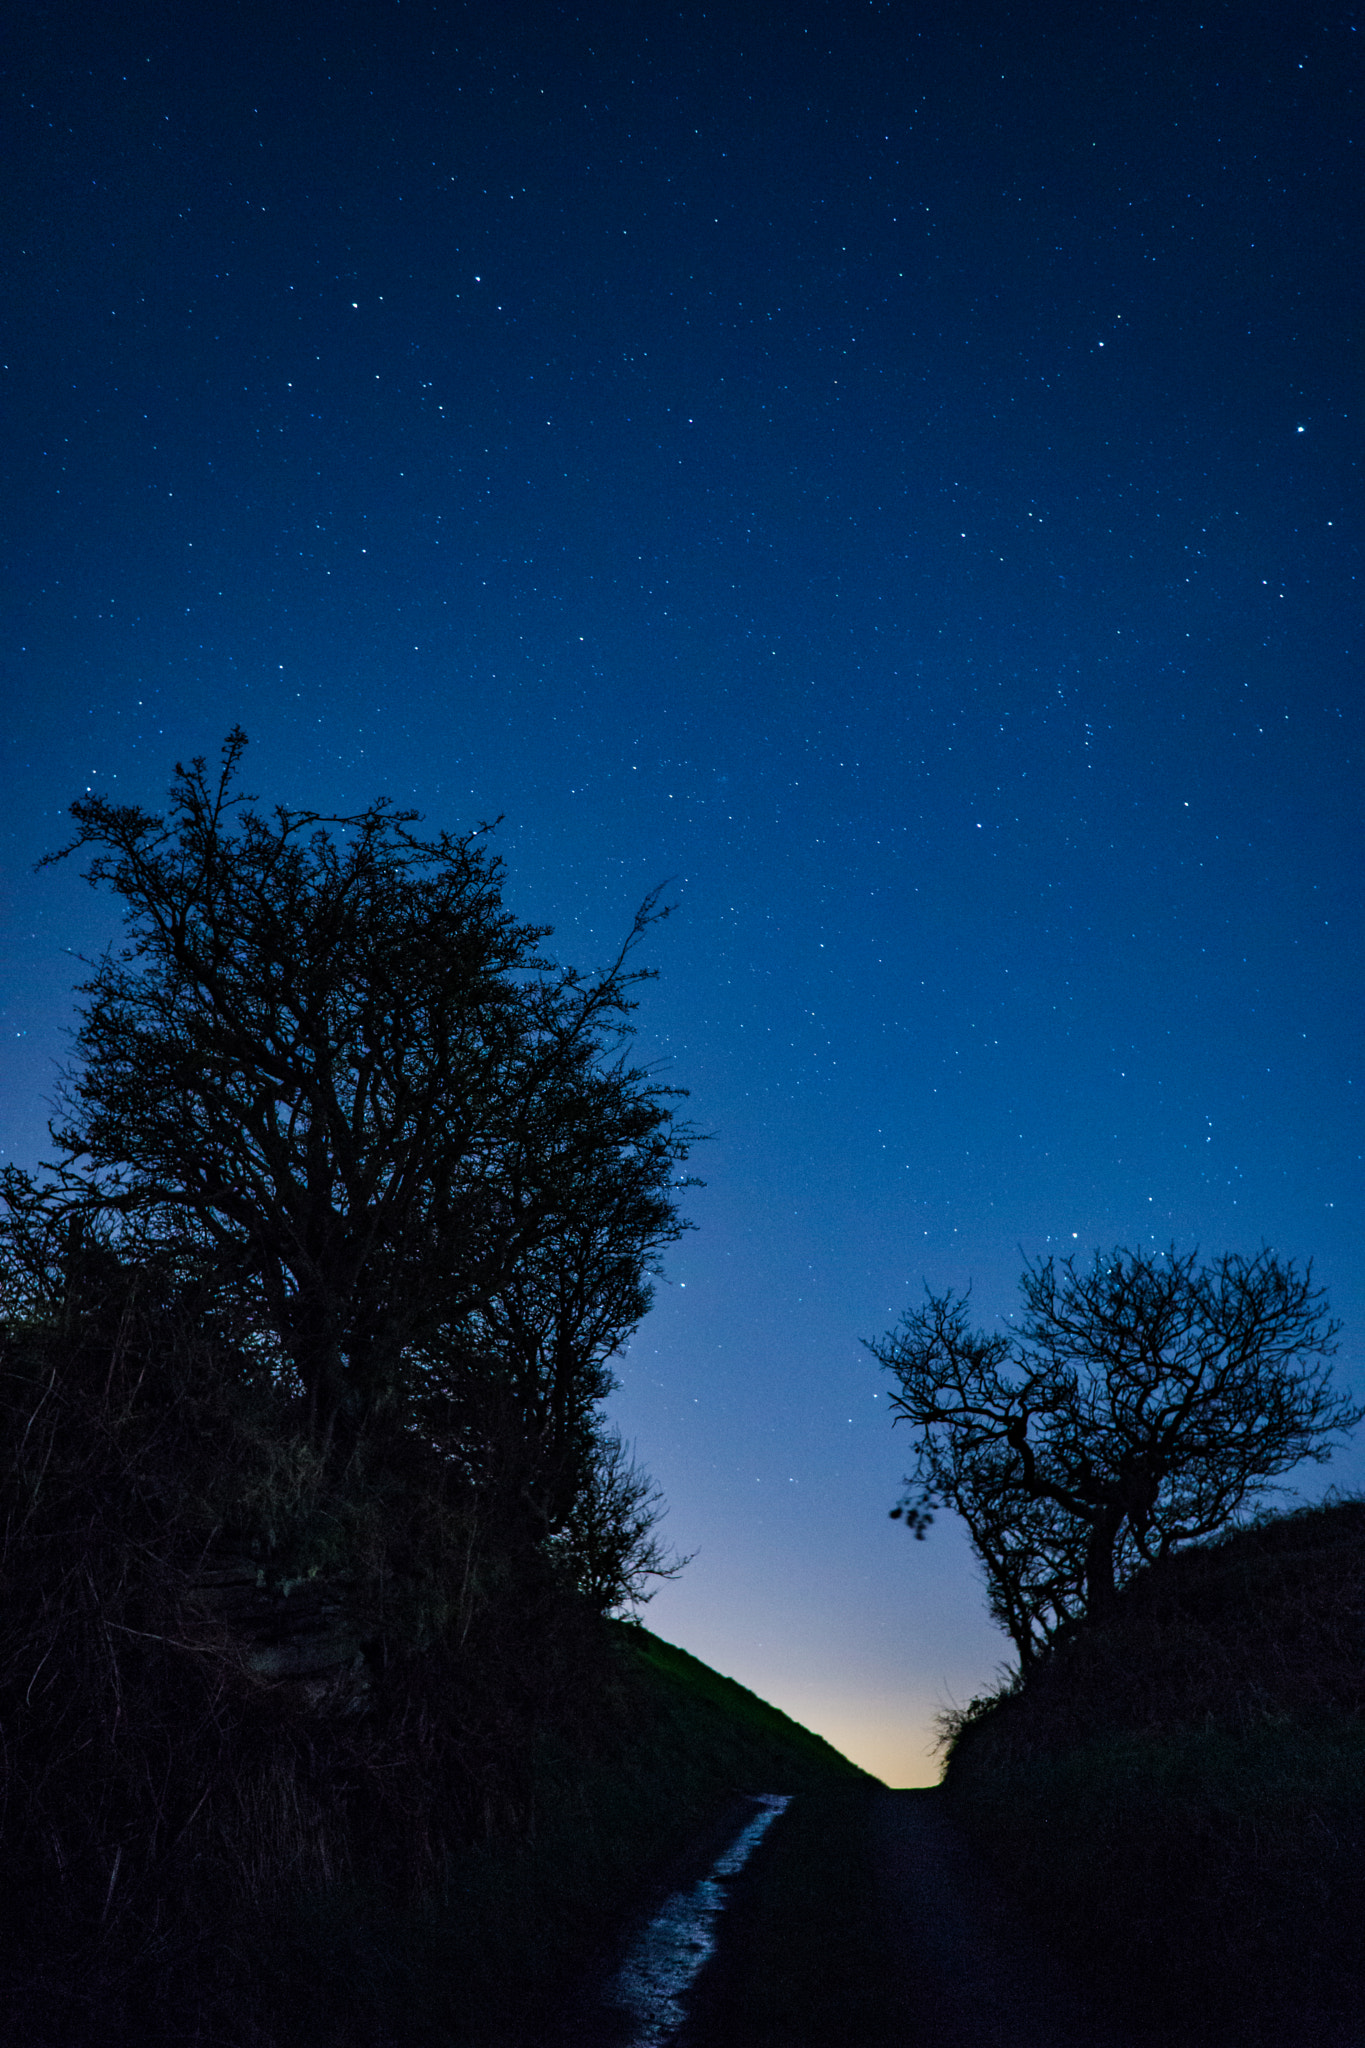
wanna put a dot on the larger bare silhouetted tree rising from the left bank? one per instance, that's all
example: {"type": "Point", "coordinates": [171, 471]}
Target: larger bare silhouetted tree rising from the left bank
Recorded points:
{"type": "Point", "coordinates": [335, 1074]}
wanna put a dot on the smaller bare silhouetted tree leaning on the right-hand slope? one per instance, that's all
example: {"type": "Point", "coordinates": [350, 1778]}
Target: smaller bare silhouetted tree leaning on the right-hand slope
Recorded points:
{"type": "Point", "coordinates": [1141, 1406]}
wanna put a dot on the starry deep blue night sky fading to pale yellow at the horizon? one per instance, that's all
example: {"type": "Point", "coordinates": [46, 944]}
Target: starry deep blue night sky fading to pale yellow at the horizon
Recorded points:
{"type": "Point", "coordinates": [885, 472]}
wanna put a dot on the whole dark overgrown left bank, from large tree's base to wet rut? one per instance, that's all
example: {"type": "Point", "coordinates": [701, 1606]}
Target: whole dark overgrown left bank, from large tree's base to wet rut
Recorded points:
{"type": "Point", "coordinates": [396, 1779]}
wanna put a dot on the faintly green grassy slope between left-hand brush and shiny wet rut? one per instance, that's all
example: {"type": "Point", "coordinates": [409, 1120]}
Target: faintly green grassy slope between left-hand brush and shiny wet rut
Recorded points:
{"type": "Point", "coordinates": [521, 1922]}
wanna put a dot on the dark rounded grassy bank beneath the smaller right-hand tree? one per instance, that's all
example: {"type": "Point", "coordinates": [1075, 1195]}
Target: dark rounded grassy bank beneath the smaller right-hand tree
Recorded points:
{"type": "Point", "coordinates": [1182, 1793]}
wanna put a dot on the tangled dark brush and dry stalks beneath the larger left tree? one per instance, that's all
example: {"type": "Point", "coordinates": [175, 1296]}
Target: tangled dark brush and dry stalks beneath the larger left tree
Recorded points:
{"type": "Point", "coordinates": [232, 1678]}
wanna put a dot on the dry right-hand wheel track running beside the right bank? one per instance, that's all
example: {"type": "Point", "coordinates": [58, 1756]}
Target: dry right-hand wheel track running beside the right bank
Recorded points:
{"type": "Point", "coordinates": [967, 1973]}
